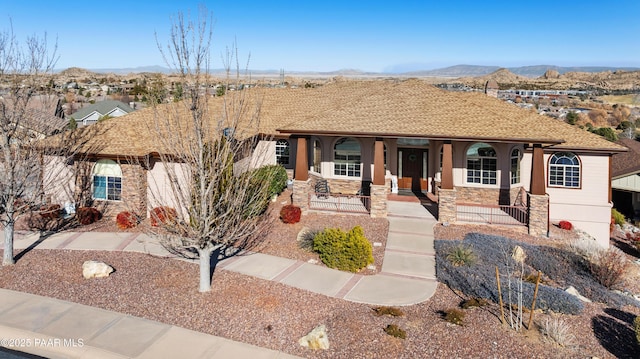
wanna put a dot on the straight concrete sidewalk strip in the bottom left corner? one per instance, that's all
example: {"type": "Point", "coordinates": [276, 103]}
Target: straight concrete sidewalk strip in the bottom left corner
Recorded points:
{"type": "Point", "coordinates": [54, 328]}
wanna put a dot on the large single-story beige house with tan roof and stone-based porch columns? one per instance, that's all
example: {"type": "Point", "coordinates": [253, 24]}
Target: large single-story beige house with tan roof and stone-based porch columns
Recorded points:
{"type": "Point", "coordinates": [481, 159]}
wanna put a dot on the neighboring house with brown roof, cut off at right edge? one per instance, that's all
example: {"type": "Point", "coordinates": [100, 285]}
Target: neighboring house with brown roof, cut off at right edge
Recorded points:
{"type": "Point", "coordinates": [625, 179]}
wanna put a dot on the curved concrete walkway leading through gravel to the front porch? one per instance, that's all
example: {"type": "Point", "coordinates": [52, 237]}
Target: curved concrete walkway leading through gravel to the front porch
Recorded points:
{"type": "Point", "coordinates": [407, 275]}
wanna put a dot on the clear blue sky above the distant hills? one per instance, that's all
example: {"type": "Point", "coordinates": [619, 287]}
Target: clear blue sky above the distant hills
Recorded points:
{"type": "Point", "coordinates": [379, 36]}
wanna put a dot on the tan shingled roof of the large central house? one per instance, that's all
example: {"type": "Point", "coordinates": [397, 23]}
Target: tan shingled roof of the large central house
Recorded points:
{"type": "Point", "coordinates": [410, 108]}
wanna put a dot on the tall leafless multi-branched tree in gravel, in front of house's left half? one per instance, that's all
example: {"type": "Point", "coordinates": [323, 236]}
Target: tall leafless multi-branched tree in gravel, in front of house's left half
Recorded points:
{"type": "Point", "coordinates": [203, 147]}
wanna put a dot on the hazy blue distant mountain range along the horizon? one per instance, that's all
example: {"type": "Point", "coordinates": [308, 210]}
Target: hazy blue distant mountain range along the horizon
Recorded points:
{"type": "Point", "coordinates": [451, 71]}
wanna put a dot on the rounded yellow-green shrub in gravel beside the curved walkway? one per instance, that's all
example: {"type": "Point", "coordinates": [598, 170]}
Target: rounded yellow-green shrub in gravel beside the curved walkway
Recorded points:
{"type": "Point", "coordinates": [347, 251]}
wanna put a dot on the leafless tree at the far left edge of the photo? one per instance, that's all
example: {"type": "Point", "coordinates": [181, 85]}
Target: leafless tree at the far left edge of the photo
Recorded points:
{"type": "Point", "coordinates": [25, 69]}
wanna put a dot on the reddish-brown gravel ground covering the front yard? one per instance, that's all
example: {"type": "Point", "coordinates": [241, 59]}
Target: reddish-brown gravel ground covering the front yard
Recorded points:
{"type": "Point", "coordinates": [275, 316]}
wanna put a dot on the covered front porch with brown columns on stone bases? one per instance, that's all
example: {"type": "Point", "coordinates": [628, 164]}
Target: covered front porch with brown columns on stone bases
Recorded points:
{"type": "Point", "coordinates": [471, 181]}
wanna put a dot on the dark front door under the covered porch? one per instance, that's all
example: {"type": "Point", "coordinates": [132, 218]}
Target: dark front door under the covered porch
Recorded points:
{"type": "Point", "coordinates": [412, 169]}
